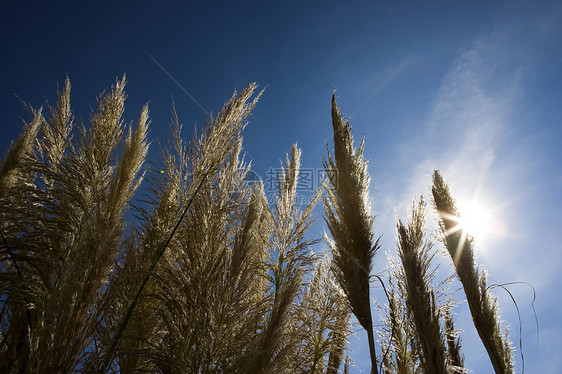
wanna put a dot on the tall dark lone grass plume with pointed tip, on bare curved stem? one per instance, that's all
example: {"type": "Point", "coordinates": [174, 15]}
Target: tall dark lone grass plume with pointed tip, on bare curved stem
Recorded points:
{"type": "Point", "coordinates": [349, 221]}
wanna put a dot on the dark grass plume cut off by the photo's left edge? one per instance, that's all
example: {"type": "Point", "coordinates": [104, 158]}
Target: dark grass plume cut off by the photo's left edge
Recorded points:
{"type": "Point", "coordinates": [16, 319]}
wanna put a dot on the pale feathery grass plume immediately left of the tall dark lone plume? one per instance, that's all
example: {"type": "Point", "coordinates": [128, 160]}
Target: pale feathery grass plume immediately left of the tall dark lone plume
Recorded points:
{"type": "Point", "coordinates": [276, 348]}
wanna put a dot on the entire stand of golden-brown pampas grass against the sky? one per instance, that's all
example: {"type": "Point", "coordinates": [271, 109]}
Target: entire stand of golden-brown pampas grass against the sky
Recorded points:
{"type": "Point", "coordinates": [207, 276]}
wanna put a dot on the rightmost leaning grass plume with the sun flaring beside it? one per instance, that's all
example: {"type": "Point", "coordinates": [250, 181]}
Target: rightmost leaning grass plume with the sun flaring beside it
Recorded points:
{"type": "Point", "coordinates": [482, 306]}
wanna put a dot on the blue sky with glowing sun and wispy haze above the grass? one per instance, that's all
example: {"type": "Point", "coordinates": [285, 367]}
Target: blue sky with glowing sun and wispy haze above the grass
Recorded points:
{"type": "Point", "coordinates": [472, 88]}
